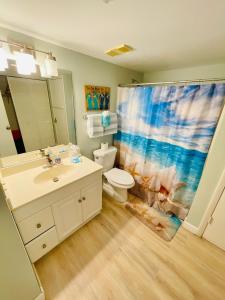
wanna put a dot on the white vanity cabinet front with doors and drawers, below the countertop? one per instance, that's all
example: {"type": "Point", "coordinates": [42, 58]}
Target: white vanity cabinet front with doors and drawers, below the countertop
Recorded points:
{"type": "Point", "coordinates": [45, 222]}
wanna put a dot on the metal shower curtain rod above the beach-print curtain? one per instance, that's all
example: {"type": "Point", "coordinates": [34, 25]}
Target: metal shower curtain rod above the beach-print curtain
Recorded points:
{"type": "Point", "coordinates": [173, 82]}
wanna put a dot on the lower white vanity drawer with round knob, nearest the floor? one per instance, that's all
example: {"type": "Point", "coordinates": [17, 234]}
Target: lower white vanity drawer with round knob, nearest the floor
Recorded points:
{"type": "Point", "coordinates": [42, 244]}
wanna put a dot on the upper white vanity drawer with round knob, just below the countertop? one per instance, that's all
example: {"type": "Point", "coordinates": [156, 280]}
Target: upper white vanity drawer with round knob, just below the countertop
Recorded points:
{"type": "Point", "coordinates": [36, 224]}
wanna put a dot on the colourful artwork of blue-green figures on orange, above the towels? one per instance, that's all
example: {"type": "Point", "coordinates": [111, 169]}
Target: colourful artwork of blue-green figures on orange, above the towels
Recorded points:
{"type": "Point", "coordinates": [97, 97]}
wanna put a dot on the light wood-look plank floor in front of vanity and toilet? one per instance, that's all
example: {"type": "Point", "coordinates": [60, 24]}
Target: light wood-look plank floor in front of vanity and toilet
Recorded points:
{"type": "Point", "coordinates": [115, 256]}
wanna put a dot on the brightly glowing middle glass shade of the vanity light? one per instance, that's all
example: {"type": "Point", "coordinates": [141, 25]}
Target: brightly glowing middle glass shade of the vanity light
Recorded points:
{"type": "Point", "coordinates": [25, 63]}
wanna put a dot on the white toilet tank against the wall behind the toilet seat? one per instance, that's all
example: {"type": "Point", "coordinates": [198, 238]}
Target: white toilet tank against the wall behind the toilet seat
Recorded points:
{"type": "Point", "coordinates": [106, 158]}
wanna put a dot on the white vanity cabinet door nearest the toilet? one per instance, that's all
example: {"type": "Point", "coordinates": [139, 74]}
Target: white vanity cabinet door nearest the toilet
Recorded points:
{"type": "Point", "coordinates": [91, 200]}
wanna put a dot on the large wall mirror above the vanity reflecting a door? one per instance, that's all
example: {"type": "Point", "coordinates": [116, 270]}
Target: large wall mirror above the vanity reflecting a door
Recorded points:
{"type": "Point", "coordinates": [36, 113]}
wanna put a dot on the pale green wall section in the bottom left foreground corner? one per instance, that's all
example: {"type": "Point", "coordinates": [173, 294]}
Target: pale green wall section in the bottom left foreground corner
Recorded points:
{"type": "Point", "coordinates": [17, 277]}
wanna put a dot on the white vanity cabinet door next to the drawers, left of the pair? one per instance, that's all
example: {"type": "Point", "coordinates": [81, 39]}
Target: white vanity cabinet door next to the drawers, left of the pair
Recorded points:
{"type": "Point", "coordinates": [68, 215]}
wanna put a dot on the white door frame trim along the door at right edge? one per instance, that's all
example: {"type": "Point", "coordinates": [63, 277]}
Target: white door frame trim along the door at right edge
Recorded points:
{"type": "Point", "coordinates": [212, 205]}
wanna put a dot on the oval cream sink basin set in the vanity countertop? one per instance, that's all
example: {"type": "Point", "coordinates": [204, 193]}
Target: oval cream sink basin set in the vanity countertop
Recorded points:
{"type": "Point", "coordinates": [53, 173]}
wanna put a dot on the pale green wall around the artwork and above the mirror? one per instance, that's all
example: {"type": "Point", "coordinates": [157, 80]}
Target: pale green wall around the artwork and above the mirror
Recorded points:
{"type": "Point", "coordinates": [85, 70]}
